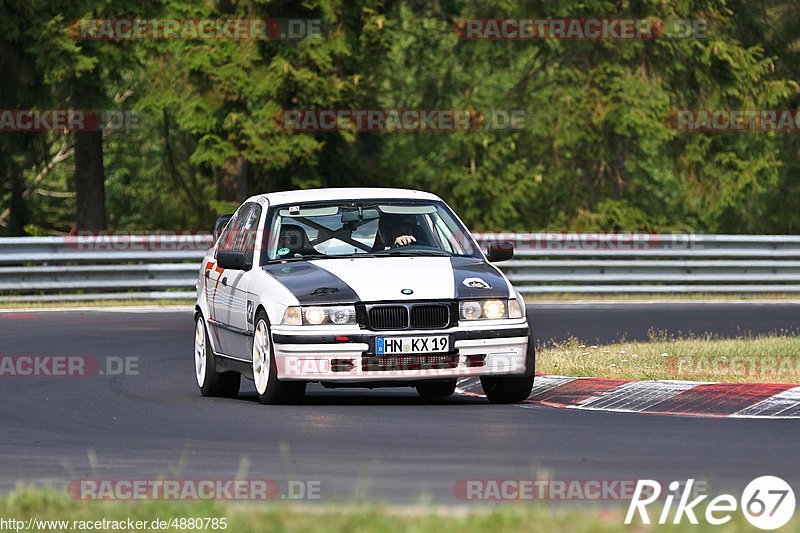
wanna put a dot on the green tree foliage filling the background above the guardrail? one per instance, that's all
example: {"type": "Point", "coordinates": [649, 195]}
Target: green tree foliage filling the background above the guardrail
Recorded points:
{"type": "Point", "coordinates": [596, 151]}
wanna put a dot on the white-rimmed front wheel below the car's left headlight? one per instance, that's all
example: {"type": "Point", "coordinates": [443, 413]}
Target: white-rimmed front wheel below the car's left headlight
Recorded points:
{"type": "Point", "coordinates": [265, 371]}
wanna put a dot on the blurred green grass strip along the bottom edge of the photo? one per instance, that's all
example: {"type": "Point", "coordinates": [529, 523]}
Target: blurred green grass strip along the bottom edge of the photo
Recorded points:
{"type": "Point", "coordinates": [50, 504]}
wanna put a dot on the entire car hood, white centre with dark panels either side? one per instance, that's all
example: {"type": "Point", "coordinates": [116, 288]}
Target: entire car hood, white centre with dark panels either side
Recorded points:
{"type": "Point", "coordinates": [375, 279]}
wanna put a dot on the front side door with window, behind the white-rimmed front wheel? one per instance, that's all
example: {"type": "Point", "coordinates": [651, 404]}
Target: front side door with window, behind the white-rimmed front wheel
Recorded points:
{"type": "Point", "coordinates": [232, 293]}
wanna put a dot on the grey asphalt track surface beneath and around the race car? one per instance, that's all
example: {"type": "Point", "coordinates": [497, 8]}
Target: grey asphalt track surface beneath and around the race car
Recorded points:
{"type": "Point", "coordinates": [385, 444]}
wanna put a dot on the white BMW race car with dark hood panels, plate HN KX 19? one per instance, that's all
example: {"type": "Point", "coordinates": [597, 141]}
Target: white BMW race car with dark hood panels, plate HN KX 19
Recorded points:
{"type": "Point", "coordinates": [360, 287]}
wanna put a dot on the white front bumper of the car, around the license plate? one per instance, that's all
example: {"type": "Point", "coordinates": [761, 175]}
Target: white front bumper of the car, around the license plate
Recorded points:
{"type": "Point", "coordinates": [346, 355]}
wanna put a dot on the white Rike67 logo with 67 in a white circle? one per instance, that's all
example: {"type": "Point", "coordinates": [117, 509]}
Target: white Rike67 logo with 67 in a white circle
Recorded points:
{"type": "Point", "coordinates": [767, 503]}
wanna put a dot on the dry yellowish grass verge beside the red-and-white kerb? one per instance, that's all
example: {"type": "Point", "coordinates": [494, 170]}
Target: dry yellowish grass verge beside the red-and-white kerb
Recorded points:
{"type": "Point", "coordinates": [767, 358]}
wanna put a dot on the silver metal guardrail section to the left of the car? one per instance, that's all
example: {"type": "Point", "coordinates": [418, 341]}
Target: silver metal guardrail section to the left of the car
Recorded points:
{"type": "Point", "coordinates": [100, 268]}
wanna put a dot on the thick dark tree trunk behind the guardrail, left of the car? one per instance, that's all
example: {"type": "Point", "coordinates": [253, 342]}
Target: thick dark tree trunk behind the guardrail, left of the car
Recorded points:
{"type": "Point", "coordinates": [90, 180]}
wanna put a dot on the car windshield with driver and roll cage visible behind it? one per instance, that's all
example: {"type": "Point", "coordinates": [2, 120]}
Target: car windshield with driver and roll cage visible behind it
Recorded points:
{"type": "Point", "coordinates": [374, 228]}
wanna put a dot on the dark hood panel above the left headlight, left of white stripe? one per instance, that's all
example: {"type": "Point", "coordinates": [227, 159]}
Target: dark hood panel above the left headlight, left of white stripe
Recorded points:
{"type": "Point", "coordinates": [310, 284]}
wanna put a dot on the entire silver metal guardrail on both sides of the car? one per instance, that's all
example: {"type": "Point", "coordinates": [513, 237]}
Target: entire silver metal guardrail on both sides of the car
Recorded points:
{"type": "Point", "coordinates": [69, 268]}
